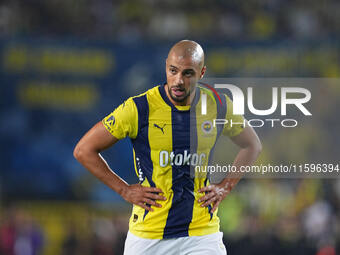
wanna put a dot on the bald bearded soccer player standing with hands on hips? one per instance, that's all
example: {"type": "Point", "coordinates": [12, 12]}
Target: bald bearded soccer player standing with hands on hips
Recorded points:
{"type": "Point", "coordinates": [174, 209]}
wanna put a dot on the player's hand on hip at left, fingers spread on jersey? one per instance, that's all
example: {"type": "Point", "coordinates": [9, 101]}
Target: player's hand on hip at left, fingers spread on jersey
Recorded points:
{"type": "Point", "coordinates": [144, 197]}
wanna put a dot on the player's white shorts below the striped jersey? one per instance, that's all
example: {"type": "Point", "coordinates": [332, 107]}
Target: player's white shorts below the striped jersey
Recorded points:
{"type": "Point", "coordinates": [190, 245]}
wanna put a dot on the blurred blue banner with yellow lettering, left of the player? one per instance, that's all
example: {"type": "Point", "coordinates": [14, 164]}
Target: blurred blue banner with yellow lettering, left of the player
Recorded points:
{"type": "Point", "coordinates": [52, 92]}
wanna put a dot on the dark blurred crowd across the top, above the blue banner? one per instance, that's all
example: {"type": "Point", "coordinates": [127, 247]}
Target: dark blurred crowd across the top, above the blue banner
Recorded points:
{"type": "Point", "coordinates": [135, 20]}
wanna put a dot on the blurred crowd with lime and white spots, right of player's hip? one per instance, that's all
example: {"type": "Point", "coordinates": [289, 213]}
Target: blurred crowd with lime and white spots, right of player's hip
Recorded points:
{"type": "Point", "coordinates": [282, 217]}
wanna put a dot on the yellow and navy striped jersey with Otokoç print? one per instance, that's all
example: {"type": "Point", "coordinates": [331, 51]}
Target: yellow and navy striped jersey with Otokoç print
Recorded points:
{"type": "Point", "coordinates": [168, 141]}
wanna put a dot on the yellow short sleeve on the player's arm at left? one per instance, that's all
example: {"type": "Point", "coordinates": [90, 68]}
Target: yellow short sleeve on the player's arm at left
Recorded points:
{"type": "Point", "coordinates": [123, 121]}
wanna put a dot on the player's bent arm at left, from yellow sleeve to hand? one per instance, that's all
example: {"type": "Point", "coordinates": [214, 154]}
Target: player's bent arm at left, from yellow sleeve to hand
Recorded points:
{"type": "Point", "coordinates": [99, 138]}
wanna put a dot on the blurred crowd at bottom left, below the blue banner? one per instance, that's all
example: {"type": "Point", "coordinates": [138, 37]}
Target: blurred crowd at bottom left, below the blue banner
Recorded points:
{"type": "Point", "coordinates": [36, 229]}
